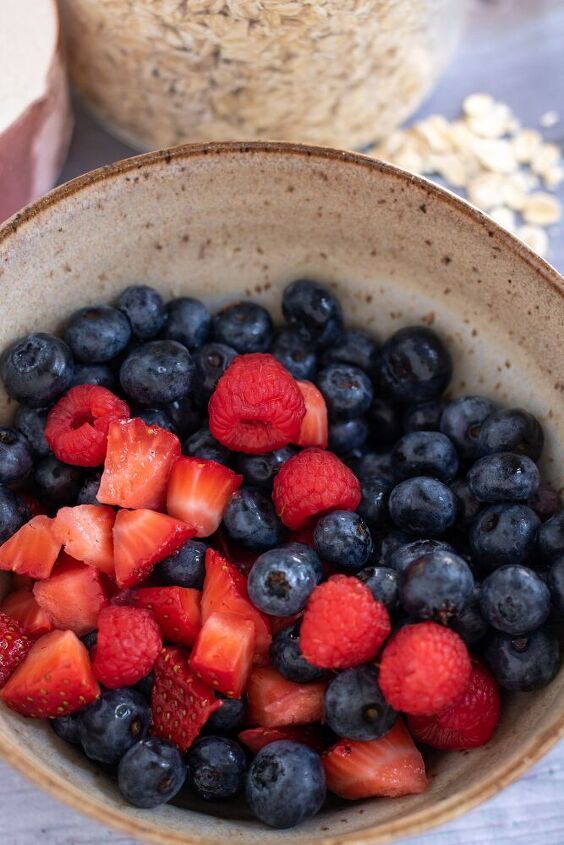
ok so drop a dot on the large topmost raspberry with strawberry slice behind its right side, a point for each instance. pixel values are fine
(257, 406)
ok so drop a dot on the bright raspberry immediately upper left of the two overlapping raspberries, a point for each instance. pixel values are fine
(343, 624)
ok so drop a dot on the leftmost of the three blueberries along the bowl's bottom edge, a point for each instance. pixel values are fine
(151, 773)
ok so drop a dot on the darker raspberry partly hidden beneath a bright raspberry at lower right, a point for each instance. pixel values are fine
(469, 722)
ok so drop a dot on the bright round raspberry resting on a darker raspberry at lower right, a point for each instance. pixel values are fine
(424, 668)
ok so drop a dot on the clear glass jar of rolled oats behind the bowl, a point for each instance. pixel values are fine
(337, 72)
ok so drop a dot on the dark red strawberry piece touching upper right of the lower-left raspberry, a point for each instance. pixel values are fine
(176, 609)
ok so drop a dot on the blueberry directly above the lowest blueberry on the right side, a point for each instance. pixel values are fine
(514, 600)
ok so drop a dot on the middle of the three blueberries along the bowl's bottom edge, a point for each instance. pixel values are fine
(216, 767)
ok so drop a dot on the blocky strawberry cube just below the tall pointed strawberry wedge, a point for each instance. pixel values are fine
(223, 654)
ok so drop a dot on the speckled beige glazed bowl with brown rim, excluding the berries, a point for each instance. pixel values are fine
(229, 221)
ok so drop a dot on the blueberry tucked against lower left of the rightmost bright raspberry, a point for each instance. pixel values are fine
(355, 707)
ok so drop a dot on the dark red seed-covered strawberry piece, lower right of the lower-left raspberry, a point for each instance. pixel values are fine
(180, 703)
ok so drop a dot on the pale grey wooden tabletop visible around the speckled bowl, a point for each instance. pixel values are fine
(513, 49)
